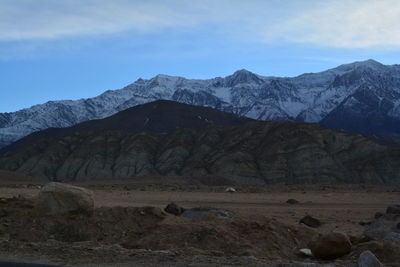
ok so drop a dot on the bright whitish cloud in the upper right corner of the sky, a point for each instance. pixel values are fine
(343, 24)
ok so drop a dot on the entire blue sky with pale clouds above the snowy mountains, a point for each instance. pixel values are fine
(72, 49)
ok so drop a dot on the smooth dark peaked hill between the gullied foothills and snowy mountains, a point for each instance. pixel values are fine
(159, 116)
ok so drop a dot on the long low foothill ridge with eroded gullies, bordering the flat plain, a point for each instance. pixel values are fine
(255, 153)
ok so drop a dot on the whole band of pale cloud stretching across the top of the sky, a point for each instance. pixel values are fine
(330, 23)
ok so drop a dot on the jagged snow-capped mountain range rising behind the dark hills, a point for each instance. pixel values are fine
(361, 96)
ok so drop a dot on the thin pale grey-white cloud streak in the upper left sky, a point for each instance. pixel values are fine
(46, 19)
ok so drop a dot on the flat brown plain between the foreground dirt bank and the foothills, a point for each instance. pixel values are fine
(339, 210)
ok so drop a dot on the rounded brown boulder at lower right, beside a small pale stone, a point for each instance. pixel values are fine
(330, 246)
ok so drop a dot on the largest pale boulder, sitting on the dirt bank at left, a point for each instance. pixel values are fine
(61, 199)
